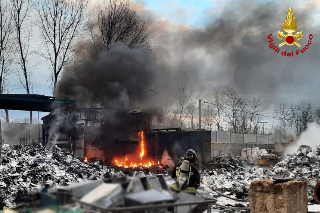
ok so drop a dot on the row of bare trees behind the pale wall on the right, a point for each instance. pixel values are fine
(227, 110)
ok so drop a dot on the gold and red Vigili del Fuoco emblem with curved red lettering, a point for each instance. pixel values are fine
(289, 26)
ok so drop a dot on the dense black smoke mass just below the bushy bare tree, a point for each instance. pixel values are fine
(120, 78)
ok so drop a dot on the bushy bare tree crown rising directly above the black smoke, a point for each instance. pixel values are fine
(119, 23)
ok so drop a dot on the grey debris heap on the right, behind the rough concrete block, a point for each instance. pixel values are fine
(235, 180)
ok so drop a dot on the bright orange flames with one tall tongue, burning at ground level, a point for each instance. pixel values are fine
(127, 163)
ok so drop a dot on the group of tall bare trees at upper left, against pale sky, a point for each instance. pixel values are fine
(60, 23)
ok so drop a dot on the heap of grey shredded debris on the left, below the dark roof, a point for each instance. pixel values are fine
(25, 170)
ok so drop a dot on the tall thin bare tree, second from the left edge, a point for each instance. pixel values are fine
(20, 10)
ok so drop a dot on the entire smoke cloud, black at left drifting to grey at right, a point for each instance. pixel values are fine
(232, 50)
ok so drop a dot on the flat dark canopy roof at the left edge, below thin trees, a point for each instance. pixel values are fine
(33, 102)
